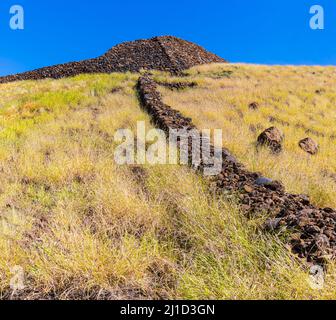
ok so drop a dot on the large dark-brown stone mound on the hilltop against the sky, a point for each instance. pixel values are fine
(160, 53)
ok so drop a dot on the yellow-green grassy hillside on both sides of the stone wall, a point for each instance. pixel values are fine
(82, 227)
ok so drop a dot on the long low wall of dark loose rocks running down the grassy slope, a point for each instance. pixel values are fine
(312, 229)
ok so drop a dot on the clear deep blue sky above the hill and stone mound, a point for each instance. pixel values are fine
(258, 31)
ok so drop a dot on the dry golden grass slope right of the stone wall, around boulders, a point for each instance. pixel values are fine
(299, 98)
